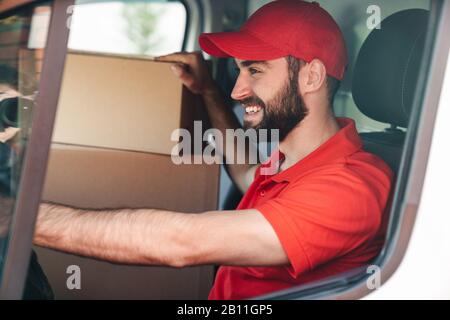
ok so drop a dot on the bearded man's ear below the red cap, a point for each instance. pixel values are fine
(312, 76)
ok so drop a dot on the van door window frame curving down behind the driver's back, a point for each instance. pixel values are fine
(411, 176)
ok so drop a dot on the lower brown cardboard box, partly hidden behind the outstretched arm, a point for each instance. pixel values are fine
(95, 178)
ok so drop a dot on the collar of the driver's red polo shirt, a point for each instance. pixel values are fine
(344, 143)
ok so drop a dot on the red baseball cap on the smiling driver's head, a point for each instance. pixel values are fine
(281, 28)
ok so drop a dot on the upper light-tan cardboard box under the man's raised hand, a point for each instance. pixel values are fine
(123, 103)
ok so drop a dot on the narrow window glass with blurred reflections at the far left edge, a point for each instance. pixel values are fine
(22, 42)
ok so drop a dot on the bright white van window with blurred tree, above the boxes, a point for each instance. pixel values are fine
(127, 27)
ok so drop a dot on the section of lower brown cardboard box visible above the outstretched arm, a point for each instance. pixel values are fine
(99, 178)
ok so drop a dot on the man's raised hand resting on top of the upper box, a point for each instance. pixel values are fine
(192, 70)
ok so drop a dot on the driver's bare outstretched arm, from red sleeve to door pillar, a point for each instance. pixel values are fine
(156, 237)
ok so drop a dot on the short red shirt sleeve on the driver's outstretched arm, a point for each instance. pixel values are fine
(323, 217)
